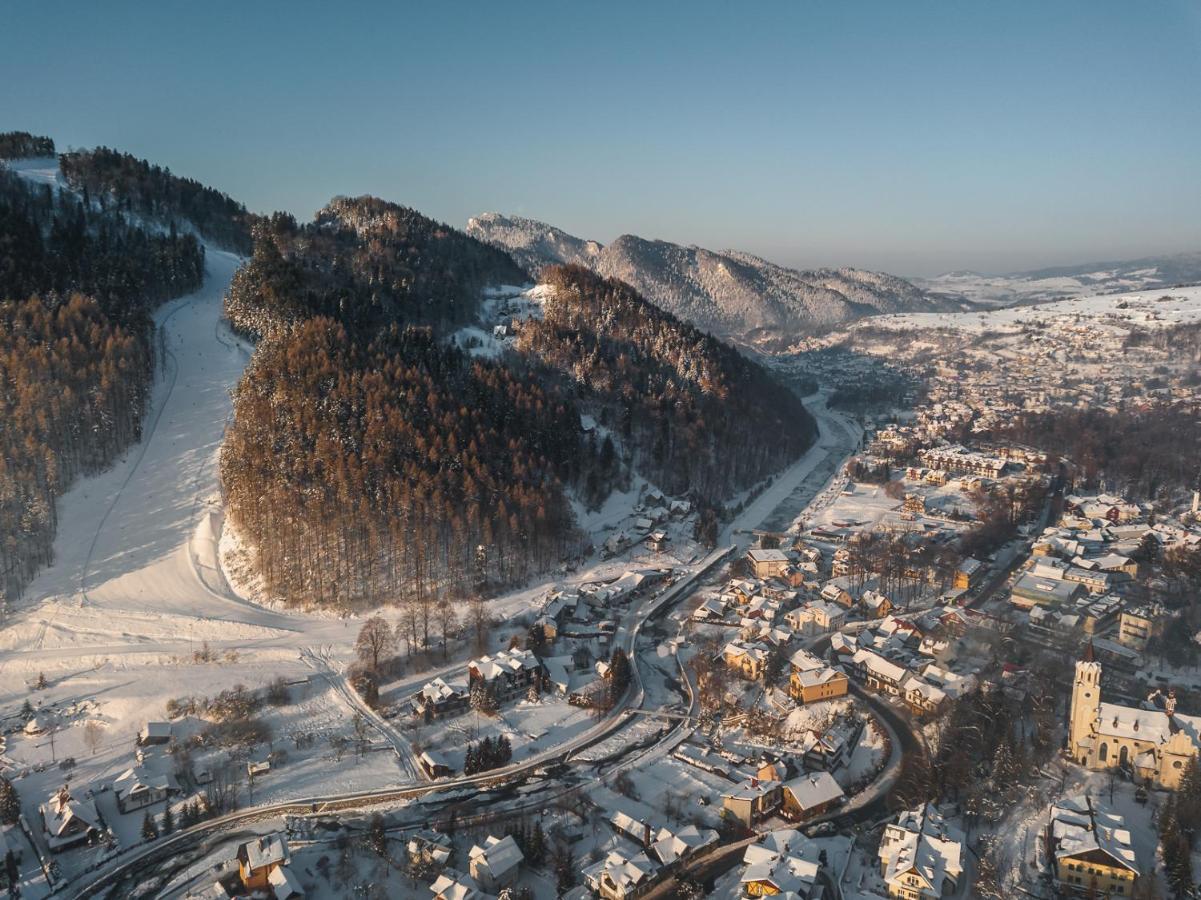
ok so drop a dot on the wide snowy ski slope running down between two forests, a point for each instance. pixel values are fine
(135, 557)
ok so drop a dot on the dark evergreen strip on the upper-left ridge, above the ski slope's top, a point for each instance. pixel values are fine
(139, 188)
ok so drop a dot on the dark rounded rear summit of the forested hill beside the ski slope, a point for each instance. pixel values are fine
(366, 264)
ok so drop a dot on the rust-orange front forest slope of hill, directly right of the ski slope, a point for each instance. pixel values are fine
(360, 469)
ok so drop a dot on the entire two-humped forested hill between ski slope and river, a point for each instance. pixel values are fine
(369, 457)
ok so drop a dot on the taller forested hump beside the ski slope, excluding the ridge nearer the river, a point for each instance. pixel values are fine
(368, 456)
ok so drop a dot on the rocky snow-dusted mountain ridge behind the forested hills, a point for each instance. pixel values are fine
(731, 294)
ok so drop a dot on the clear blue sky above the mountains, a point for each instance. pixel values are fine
(907, 136)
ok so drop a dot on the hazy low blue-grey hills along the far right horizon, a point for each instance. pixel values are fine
(1062, 283)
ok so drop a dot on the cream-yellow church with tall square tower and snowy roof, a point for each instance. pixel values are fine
(1154, 744)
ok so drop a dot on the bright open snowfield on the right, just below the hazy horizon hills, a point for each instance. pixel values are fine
(1145, 308)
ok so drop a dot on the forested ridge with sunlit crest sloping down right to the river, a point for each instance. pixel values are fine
(688, 412)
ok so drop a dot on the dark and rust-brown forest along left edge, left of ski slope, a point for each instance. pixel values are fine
(77, 284)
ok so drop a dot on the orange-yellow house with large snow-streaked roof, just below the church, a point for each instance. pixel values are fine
(1091, 850)
